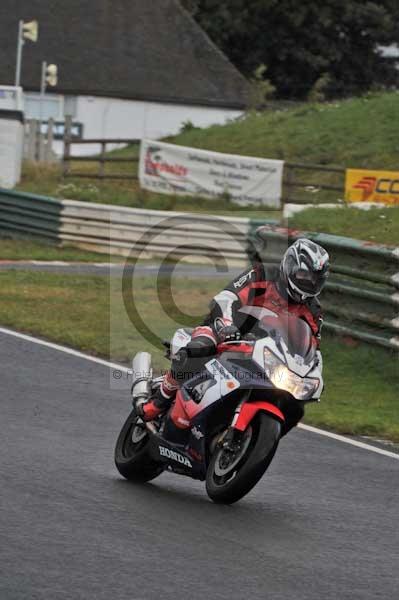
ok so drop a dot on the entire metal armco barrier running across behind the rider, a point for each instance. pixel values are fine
(361, 298)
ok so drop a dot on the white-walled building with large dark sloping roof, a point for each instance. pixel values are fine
(126, 69)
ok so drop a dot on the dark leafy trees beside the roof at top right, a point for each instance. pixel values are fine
(302, 42)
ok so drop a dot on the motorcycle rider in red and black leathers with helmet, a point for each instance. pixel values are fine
(291, 288)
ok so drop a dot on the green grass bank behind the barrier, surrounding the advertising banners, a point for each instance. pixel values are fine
(359, 133)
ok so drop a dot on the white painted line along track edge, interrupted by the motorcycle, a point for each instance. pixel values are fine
(100, 361)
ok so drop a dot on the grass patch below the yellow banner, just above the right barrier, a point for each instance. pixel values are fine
(377, 224)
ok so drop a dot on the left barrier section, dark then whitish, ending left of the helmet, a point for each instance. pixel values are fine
(116, 230)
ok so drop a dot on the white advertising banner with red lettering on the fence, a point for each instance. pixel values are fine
(171, 169)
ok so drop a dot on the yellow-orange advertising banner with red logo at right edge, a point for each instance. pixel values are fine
(372, 186)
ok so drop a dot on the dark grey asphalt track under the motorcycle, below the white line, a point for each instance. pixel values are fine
(322, 524)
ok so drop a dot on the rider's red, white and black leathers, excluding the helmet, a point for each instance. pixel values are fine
(254, 287)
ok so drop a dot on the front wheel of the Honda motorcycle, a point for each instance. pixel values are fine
(234, 471)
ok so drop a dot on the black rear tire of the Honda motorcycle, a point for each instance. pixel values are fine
(132, 456)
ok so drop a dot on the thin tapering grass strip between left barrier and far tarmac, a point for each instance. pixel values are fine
(26, 249)
